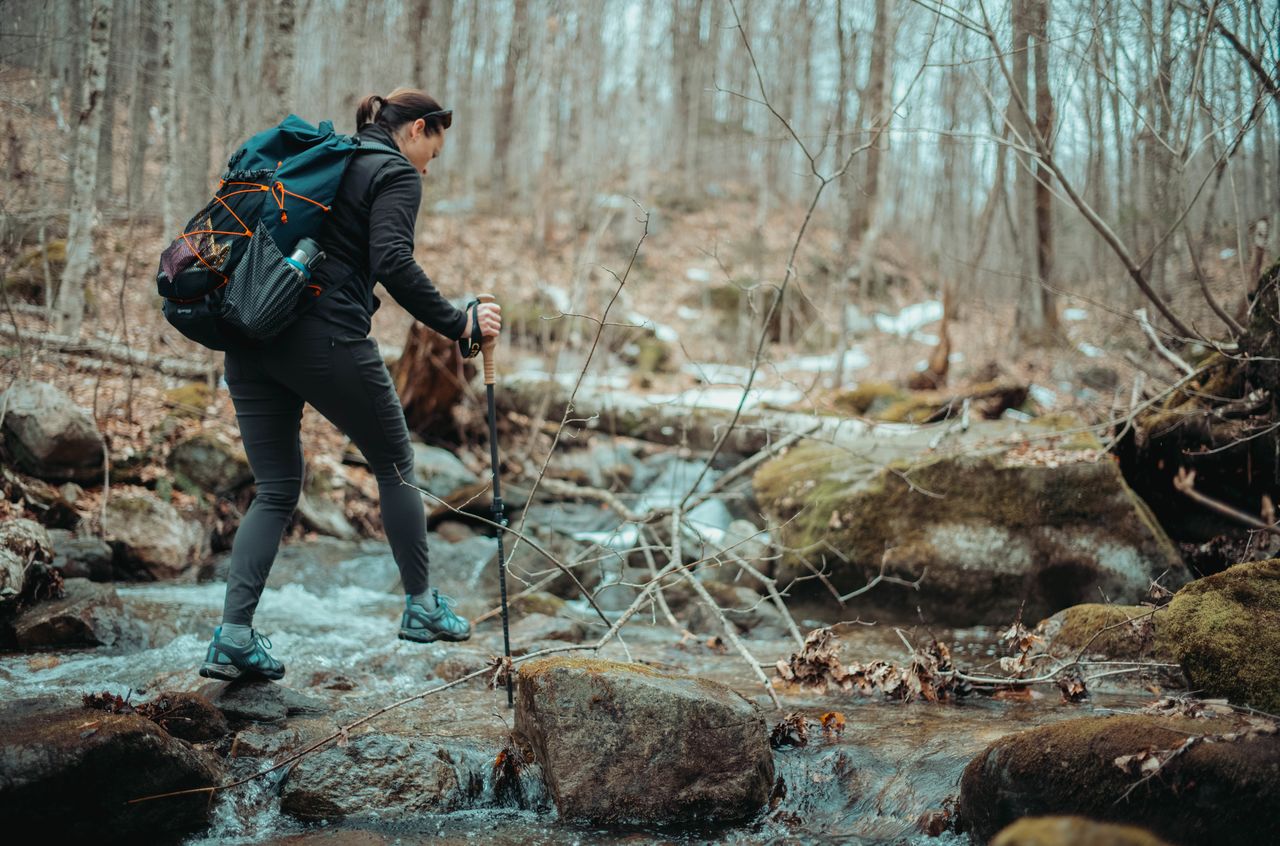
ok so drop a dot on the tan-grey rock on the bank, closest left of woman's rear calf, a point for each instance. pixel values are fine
(150, 537)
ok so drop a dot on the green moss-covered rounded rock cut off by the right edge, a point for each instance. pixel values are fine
(1226, 632)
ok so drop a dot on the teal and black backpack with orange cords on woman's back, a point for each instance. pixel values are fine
(240, 271)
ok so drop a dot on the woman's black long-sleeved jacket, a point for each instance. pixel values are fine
(369, 239)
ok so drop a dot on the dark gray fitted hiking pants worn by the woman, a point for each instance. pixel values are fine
(346, 381)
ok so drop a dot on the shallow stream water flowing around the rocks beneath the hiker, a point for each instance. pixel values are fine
(332, 607)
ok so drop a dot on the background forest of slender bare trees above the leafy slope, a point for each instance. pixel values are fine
(1160, 117)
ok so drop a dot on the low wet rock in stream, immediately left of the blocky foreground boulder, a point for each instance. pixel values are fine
(397, 776)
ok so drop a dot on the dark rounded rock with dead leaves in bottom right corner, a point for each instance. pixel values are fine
(1222, 793)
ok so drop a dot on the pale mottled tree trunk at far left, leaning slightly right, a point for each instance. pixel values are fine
(89, 125)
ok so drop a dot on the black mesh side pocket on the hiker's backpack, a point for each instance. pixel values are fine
(262, 298)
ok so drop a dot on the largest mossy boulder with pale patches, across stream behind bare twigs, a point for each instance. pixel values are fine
(995, 525)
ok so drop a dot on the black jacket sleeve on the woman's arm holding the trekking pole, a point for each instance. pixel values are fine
(394, 212)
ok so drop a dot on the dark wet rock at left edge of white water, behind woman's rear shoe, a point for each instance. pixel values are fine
(89, 615)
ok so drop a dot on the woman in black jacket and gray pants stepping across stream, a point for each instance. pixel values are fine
(328, 360)
